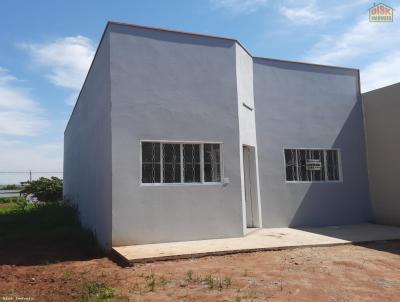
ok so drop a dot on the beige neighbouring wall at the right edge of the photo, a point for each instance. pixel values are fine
(382, 110)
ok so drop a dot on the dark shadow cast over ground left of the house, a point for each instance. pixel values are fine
(35, 235)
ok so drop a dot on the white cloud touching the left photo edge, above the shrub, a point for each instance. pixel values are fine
(19, 113)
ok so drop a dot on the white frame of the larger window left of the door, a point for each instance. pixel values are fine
(181, 143)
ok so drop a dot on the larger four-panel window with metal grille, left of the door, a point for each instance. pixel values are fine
(173, 162)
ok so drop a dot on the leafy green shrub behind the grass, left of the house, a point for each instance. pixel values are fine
(44, 189)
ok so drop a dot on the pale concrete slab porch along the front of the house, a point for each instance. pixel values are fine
(260, 240)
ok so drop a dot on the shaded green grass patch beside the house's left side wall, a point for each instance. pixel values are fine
(46, 224)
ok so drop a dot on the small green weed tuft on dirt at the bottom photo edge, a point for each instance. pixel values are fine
(96, 291)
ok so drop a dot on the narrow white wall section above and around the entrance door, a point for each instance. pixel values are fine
(247, 123)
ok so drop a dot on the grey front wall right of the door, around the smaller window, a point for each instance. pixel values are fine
(309, 106)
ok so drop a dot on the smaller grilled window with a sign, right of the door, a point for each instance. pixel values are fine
(309, 165)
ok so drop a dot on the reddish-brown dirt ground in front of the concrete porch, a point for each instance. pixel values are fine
(370, 272)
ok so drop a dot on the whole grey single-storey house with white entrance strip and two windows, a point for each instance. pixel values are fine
(178, 136)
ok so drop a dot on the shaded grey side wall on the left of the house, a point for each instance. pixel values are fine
(87, 149)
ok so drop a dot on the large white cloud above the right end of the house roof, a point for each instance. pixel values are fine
(372, 47)
